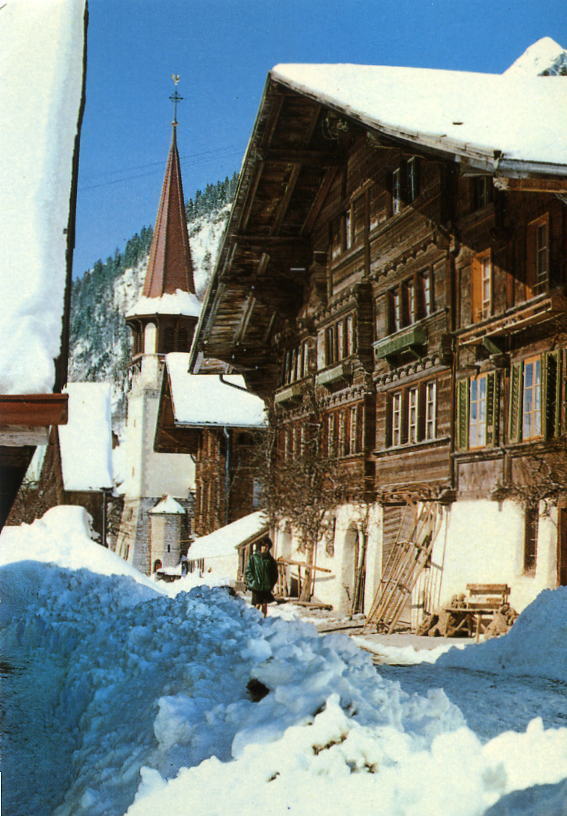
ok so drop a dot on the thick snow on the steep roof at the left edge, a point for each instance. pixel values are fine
(41, 71)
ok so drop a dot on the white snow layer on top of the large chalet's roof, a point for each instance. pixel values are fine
(465, 113)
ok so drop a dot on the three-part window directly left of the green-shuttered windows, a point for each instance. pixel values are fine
(412, 414)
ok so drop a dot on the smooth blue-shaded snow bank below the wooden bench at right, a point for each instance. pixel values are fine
(536, 644)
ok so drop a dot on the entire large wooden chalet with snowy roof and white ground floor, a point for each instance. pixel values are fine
(396, 252)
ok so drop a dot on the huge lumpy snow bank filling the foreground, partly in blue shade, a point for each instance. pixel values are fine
(122, 700)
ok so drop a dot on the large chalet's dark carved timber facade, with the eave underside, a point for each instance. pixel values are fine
(418, 295)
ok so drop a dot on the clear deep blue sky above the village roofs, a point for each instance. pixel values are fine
(223, 50)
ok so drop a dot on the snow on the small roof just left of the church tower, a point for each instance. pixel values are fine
(86, 440)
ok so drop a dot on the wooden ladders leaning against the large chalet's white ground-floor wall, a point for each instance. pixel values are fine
(402, 569)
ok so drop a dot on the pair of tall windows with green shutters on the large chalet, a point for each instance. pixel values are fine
(534, 407)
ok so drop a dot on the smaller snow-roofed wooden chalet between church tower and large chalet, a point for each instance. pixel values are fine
(215, 419)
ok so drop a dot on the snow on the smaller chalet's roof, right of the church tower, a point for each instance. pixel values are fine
(205, 399)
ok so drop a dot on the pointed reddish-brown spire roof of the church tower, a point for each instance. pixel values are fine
(170, 266)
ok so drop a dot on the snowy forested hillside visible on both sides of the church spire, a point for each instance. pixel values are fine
(100, 342)
